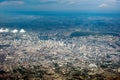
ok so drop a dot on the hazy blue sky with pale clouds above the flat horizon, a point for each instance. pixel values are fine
(102, 6)
